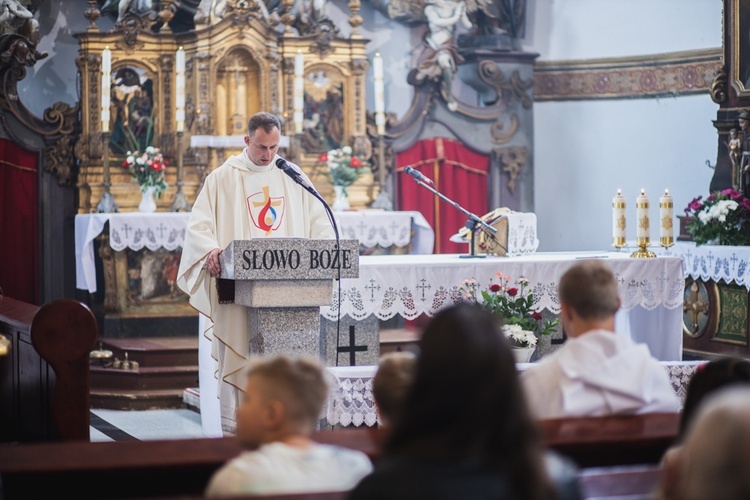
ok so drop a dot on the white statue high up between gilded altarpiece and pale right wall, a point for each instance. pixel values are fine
(440, 59)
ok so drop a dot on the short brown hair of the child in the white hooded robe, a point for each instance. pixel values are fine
(590, 289)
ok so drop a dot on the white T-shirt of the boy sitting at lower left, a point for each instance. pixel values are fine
(281, 468)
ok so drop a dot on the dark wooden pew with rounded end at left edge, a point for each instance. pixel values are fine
(44, 378)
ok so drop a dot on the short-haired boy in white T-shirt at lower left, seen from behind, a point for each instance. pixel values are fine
(283, 400)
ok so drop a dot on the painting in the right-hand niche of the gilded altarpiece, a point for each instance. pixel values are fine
(323, 126)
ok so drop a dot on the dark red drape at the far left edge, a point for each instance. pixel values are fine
(19, 252)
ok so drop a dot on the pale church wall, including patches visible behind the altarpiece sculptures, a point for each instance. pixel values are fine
(584, 150)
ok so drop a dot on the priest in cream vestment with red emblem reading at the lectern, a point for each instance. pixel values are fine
(246, 197)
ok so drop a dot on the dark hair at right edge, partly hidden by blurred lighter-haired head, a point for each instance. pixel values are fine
(715, 374)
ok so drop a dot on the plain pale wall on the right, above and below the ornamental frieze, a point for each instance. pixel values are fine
(585, 150)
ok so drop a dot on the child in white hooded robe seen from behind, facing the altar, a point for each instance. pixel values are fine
(596, 372)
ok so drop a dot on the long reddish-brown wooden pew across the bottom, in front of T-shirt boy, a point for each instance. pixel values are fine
(139, 469)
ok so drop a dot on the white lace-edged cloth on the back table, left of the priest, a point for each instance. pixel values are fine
(134, 230)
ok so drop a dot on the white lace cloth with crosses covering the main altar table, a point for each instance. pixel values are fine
(410, 285)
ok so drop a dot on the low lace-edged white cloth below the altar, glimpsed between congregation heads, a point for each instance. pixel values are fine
(351, 402)
